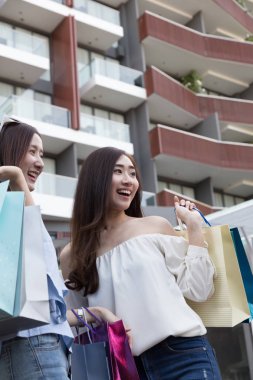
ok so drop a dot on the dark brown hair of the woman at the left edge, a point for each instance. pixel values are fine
(15, 138)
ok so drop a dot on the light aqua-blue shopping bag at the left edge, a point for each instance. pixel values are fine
(11, 247)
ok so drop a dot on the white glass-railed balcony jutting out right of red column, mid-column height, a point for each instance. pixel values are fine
(111, 85)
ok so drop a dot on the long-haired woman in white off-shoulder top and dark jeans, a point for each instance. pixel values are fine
(136, 267)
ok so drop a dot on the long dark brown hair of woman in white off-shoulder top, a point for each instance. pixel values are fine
(89, 212)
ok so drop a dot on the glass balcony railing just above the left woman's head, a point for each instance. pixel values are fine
(20, 106)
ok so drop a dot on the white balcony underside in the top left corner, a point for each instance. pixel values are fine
(42, 15)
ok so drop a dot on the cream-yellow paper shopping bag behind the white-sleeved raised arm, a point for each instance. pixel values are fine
(228, 305)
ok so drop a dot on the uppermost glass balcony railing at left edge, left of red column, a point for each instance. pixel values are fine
(24, 40)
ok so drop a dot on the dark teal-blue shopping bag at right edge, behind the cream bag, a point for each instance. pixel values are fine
(245, 269)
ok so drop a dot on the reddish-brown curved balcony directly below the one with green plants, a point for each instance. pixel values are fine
(191, 158)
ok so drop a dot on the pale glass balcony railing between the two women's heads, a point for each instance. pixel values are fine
(57, 185)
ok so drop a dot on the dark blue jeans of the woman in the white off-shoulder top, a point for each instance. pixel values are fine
(178, 358)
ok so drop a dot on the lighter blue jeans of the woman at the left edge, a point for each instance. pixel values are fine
(41, 357)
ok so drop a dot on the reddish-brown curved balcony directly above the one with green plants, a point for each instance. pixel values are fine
(225, 65)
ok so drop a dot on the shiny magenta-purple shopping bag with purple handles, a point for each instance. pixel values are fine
(121, 362)
